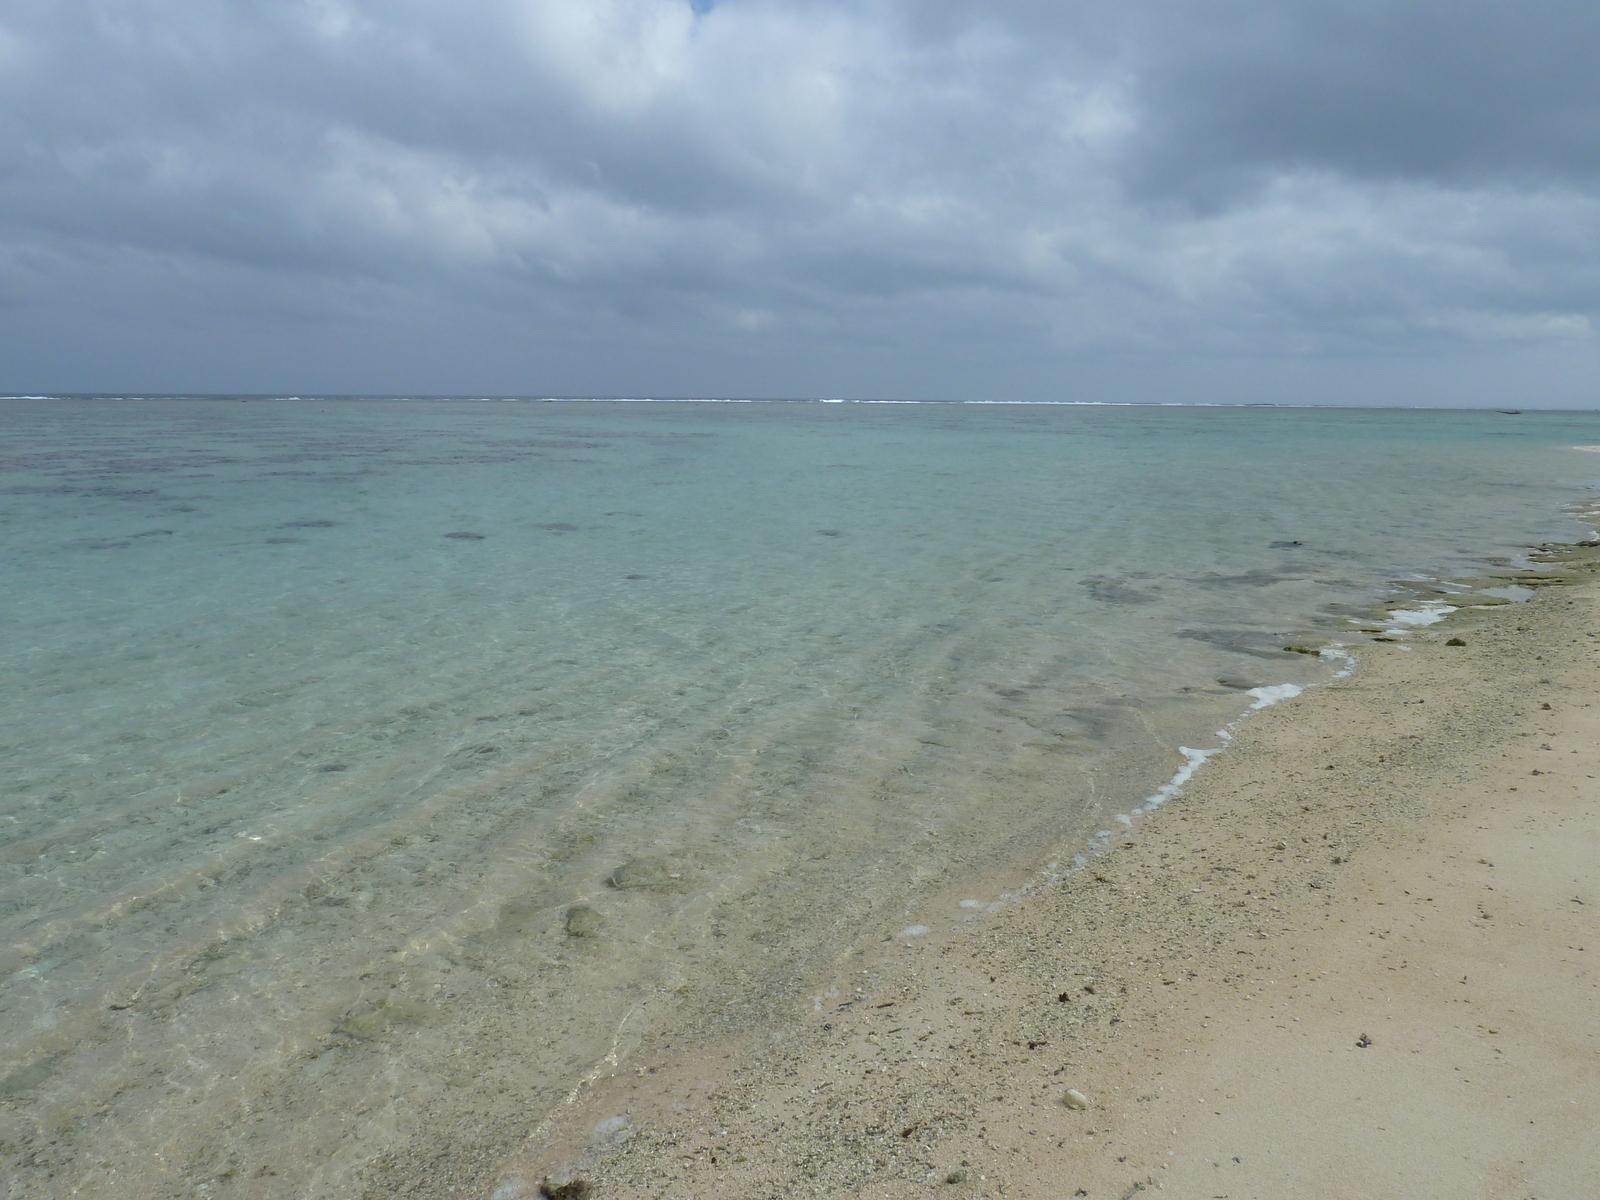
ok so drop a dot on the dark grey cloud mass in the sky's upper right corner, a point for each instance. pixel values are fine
(1466, 94)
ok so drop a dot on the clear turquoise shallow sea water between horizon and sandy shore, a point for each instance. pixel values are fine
(375, 770)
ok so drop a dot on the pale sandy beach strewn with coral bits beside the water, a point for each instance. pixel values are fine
(1354, 959)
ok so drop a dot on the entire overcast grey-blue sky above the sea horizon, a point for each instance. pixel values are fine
(1383, 202)
